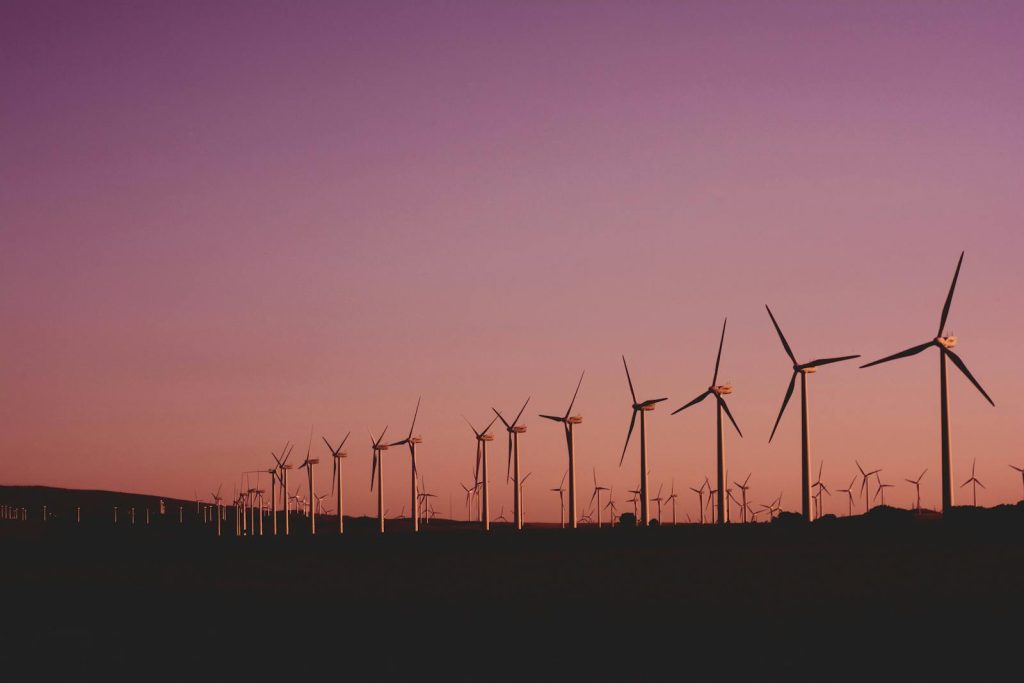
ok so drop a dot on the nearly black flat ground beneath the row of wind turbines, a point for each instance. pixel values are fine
(888, 583)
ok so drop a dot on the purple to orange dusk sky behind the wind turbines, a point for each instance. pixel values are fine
(223, 224)
